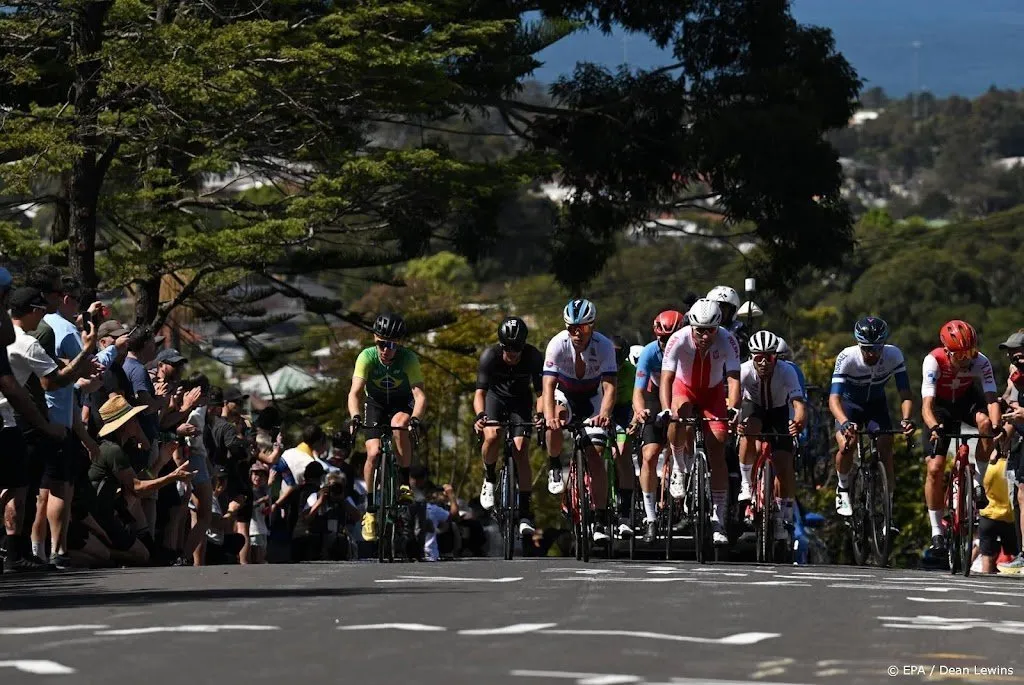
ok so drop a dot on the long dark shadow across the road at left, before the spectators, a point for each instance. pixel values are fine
(60, 593)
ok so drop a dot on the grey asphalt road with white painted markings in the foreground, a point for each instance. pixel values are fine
(545, 622)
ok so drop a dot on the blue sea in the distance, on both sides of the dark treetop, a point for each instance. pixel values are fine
(965, 47)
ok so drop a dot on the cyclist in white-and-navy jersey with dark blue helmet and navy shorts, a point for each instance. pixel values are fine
(858, 399)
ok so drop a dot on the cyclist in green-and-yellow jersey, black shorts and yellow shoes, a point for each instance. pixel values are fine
(388, 384)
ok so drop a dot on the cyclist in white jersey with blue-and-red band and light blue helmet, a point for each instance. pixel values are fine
(581, 364)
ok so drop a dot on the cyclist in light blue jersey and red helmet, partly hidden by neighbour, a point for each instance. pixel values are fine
(646, 404)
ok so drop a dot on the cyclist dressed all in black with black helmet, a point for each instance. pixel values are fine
(508, 386)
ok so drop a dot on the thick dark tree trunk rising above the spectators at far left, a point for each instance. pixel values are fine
(87, 176)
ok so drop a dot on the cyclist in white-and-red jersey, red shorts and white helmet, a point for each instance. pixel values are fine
(701, 361)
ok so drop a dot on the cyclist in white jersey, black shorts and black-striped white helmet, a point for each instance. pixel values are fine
(771, 390)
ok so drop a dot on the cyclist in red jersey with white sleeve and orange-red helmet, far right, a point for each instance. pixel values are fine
(958, 387)
